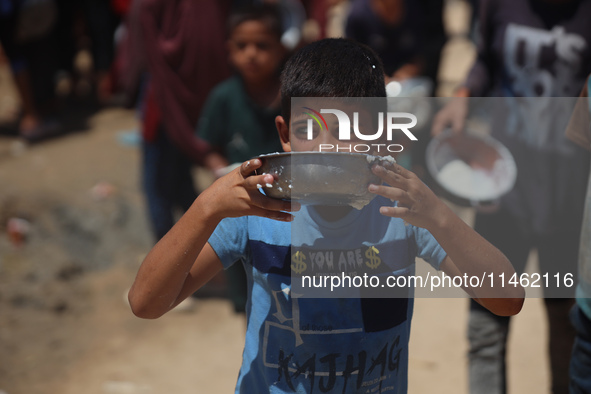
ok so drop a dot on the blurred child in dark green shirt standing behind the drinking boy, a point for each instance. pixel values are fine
(238, 119)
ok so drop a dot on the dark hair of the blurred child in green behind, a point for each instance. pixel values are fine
(267, 14)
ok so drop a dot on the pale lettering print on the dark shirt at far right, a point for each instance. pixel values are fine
(541, 65)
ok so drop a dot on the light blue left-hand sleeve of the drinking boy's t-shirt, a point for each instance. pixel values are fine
(230, 239)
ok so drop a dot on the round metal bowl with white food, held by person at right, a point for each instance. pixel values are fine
(472, 170)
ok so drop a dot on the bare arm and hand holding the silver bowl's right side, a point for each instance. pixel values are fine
(467, 252)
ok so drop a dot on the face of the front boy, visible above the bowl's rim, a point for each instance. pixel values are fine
(294, 137)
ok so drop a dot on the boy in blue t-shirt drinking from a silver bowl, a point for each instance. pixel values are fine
(296, 344)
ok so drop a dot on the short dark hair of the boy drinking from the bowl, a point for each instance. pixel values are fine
(332, 67)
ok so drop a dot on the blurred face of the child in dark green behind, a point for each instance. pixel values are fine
(254, 51)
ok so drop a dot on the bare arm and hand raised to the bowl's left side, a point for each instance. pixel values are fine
(182, 261)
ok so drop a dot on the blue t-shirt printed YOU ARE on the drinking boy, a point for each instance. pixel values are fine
(298, 344)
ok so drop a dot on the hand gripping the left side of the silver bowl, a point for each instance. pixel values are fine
(237, 194)
